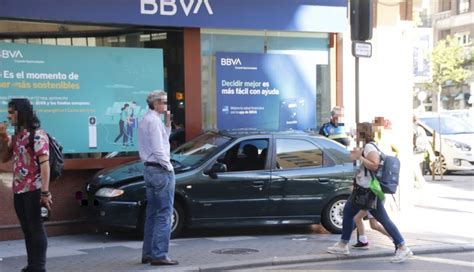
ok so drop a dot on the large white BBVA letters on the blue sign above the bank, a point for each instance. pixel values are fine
(170, 7)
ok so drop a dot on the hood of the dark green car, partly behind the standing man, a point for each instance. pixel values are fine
(126, 172)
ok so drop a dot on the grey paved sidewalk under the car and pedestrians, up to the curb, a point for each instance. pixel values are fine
(436, 224)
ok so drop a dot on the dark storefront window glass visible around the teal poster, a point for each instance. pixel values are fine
(170, 40)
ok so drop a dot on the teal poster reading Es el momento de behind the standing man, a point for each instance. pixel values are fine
(90, 104)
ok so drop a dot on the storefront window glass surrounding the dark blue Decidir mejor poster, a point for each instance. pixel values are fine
(310, 45)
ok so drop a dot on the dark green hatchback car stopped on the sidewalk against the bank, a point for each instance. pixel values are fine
(232, 180)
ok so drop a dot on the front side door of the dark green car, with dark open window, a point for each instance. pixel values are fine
(241, 191)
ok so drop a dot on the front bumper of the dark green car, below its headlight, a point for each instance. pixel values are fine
(110, 213)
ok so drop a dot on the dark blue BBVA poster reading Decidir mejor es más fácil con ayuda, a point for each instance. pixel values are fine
(265, 91)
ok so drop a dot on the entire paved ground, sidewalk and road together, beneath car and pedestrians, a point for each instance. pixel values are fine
(438, 230)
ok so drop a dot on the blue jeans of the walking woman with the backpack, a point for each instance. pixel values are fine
(380, 214)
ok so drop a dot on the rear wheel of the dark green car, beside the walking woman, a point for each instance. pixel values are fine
(333, 214)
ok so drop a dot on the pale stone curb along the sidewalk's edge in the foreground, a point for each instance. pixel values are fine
(277, 261)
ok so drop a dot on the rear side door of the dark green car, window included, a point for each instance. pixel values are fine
(303, 176)
